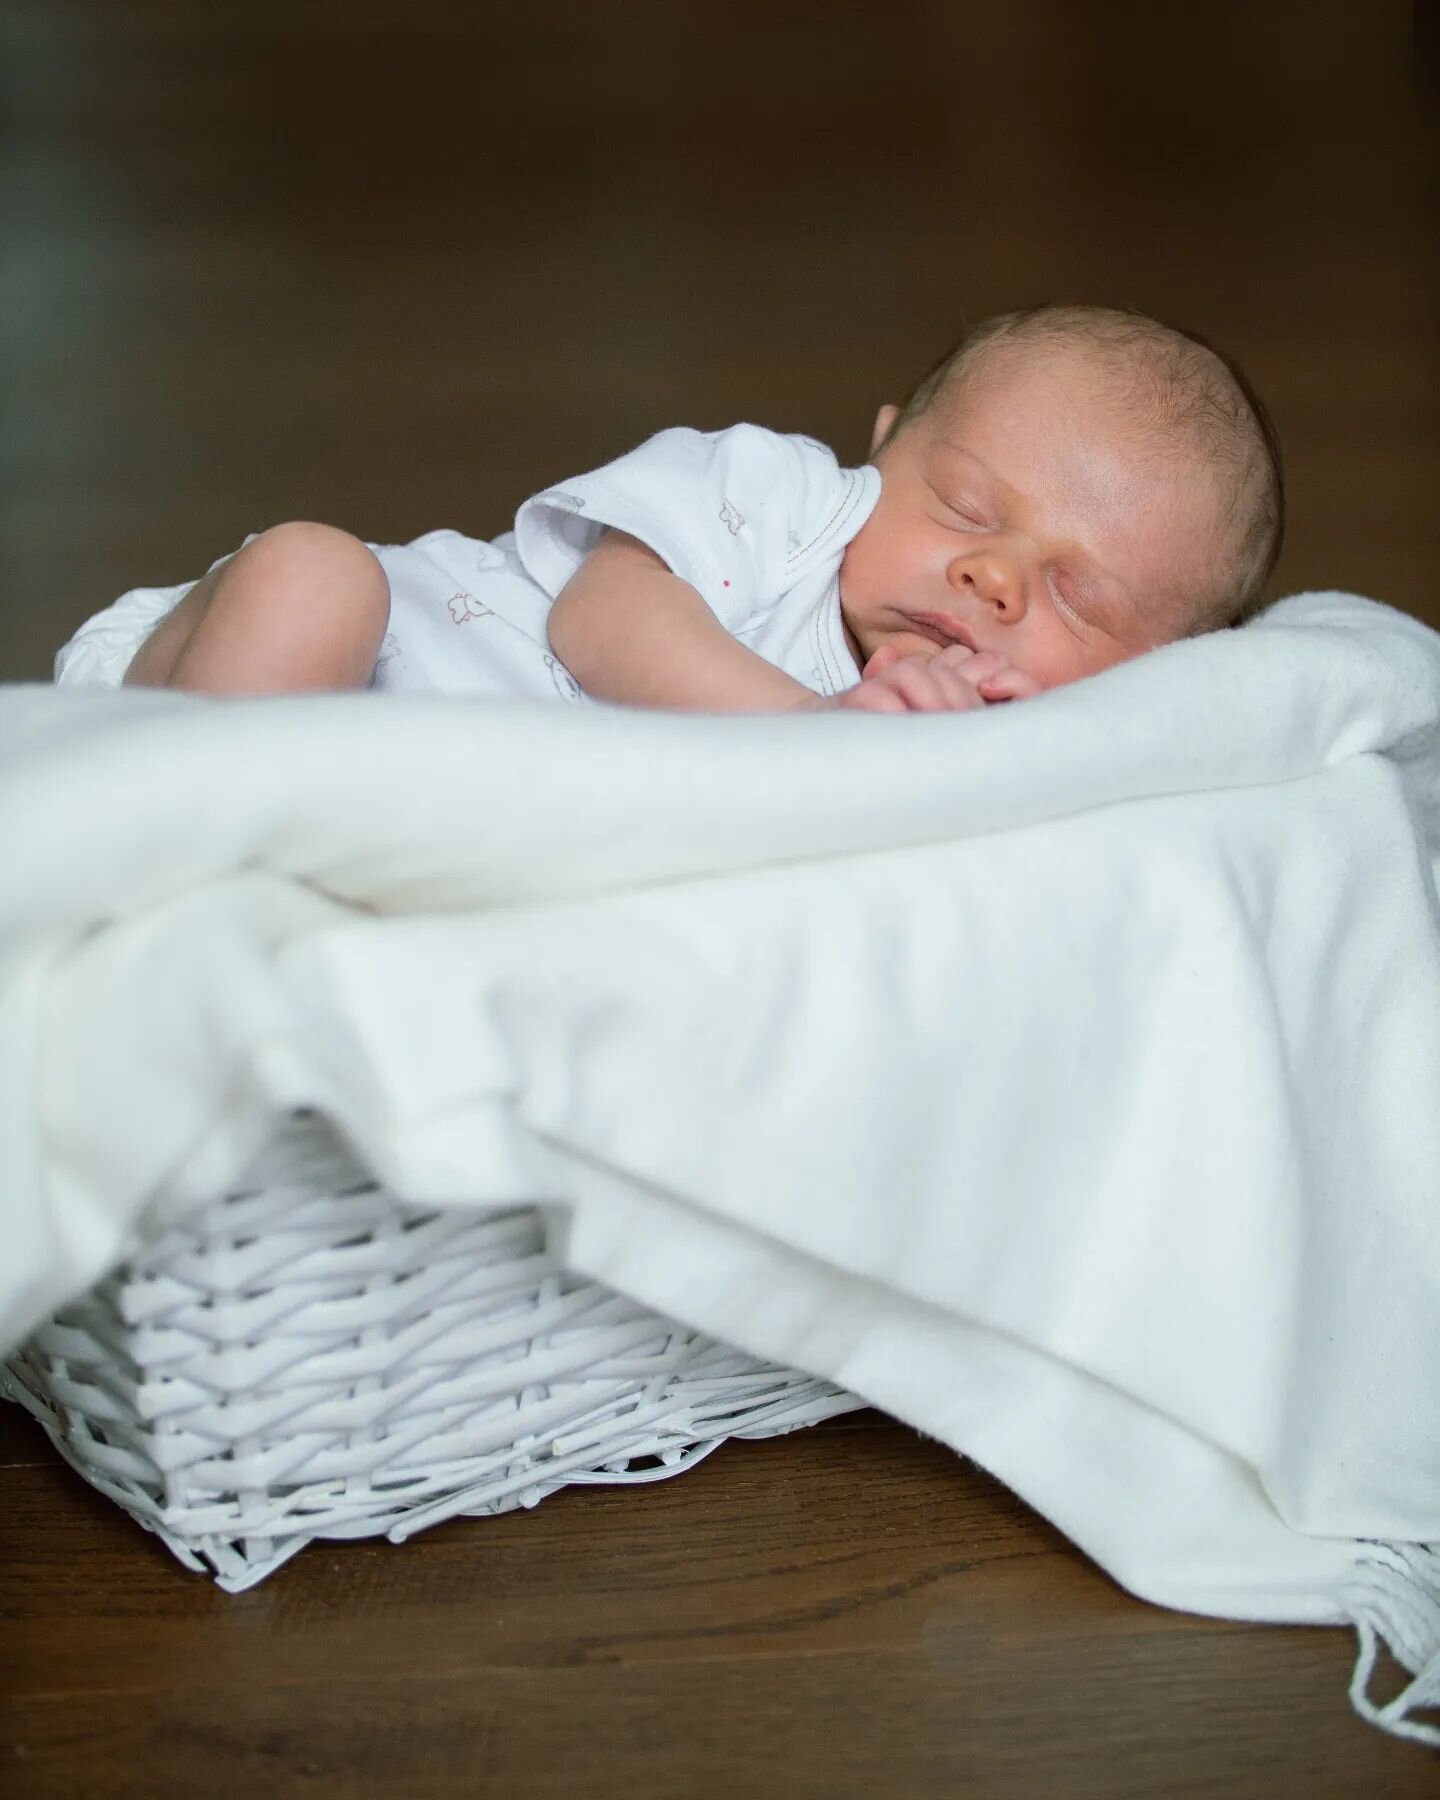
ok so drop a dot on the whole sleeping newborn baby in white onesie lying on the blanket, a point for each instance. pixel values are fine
(1068, 489)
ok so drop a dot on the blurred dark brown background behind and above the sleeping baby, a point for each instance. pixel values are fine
(397, 264)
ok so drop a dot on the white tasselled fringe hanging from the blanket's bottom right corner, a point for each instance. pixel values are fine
(1394, 1599)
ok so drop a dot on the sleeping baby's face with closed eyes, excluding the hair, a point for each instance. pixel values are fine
(1023, 516)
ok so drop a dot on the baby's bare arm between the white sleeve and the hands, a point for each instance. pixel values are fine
(631, 631)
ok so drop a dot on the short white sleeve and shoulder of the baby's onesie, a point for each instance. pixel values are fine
(739, 514)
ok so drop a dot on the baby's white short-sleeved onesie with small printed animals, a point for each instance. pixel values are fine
(755, 521)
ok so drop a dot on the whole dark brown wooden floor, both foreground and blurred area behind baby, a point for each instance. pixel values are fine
(395, 264)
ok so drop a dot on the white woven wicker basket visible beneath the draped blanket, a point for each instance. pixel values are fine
(310, 1358)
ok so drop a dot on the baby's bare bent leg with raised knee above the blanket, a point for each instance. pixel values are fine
(298, 607)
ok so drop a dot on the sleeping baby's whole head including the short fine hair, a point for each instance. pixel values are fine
(1070, 487)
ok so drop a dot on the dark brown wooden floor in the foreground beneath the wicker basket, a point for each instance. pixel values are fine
(843, 1614)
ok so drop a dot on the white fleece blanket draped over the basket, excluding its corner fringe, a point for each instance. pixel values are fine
(1063, 1079)
